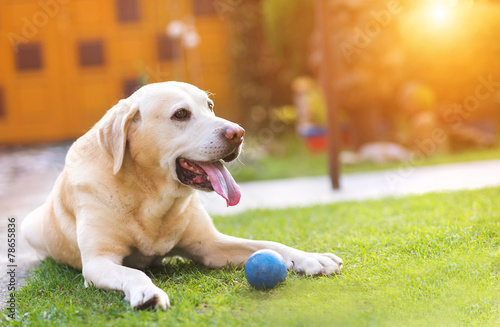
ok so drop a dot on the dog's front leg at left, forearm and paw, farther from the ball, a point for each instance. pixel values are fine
(108, 273)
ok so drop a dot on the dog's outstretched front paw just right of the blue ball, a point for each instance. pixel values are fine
(317, 264)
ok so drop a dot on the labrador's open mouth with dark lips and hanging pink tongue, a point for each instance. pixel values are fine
(209, 176)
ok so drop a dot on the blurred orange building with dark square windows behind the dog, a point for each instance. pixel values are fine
(63, 63)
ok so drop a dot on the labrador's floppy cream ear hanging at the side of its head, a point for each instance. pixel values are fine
(113, 128)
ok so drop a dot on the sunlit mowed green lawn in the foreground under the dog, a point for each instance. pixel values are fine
(431, 260)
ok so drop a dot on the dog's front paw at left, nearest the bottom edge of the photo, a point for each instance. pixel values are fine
(145, 297)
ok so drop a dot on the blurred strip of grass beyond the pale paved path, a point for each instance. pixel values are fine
(288, 157)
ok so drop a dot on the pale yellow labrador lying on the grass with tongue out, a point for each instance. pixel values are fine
(127, 196)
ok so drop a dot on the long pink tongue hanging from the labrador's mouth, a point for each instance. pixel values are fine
(222, 182)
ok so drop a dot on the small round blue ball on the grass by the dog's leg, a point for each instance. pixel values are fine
(265, 269)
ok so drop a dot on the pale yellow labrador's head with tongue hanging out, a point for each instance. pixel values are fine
(171, 127)
